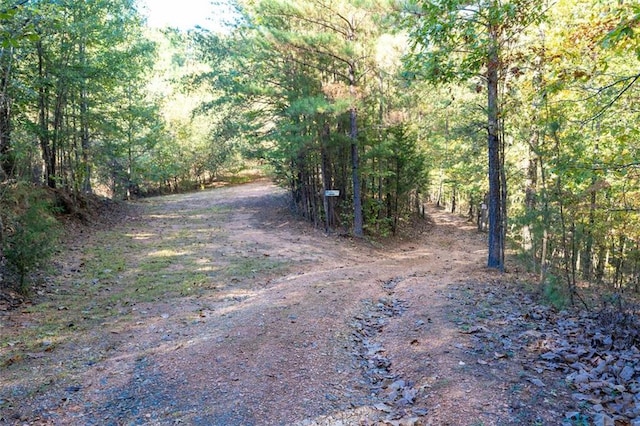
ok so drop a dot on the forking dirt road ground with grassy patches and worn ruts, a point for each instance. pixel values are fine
(220, 308)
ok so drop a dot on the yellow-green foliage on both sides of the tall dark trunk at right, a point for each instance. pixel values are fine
(567, 124)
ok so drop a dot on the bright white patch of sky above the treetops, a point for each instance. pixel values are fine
(184, 14)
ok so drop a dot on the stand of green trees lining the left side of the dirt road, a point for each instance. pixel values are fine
(96, 101)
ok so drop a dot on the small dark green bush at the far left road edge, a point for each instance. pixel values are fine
(29, 232)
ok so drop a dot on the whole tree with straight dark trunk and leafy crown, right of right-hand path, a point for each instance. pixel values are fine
(457, 40)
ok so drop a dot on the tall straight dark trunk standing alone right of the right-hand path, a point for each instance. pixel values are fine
(496, 221)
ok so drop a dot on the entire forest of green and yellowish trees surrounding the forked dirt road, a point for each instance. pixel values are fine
(520, 115)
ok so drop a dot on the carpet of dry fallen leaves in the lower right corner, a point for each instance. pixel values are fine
(595, 352)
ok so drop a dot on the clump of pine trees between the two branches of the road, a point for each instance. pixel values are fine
(313, 89)
